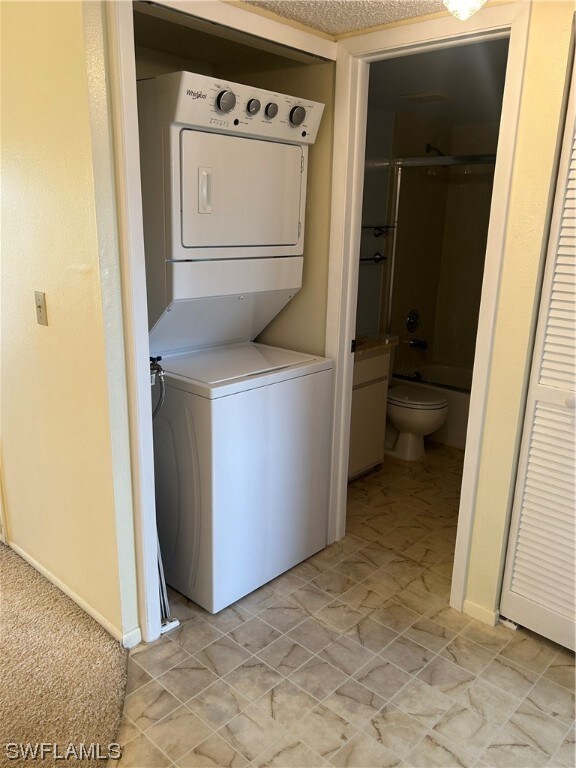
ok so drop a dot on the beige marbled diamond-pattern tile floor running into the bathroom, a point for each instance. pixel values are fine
(353, 658)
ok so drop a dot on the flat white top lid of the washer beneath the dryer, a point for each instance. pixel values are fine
(217, 365)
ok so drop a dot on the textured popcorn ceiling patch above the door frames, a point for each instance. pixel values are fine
(338, 17)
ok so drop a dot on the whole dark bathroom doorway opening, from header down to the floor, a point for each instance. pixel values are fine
(431, 139)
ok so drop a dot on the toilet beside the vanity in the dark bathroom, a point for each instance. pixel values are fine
(412, 413)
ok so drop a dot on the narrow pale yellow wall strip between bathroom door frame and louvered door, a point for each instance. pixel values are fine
(533, 180)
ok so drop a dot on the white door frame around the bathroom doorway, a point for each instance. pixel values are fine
(354, 56)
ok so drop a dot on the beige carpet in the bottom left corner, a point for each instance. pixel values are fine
(62, 676)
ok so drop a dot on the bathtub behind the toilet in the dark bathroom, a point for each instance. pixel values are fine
(453, 383)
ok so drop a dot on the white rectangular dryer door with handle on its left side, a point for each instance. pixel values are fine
(238, 193)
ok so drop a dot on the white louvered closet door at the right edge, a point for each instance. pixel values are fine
(539, 580)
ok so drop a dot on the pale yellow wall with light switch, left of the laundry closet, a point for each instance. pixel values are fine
(58, 446)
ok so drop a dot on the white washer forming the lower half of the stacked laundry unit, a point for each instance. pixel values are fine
(242, 446)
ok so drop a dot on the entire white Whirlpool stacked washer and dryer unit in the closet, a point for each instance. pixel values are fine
(242, 442)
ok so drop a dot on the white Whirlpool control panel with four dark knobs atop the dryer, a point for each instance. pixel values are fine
(216, 105)
